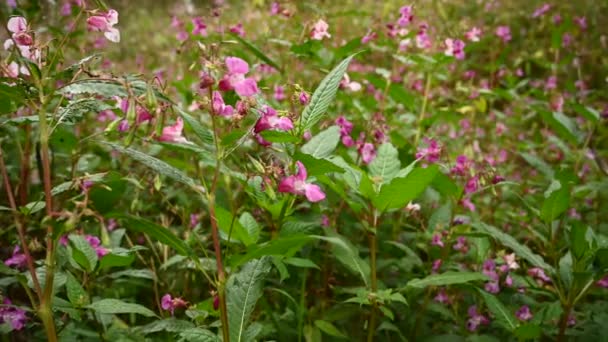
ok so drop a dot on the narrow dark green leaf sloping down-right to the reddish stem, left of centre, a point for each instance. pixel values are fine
(157, 232)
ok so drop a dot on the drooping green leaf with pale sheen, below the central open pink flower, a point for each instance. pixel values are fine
(347, 254)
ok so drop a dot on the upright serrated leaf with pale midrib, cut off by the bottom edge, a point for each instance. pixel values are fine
(243, 290)
